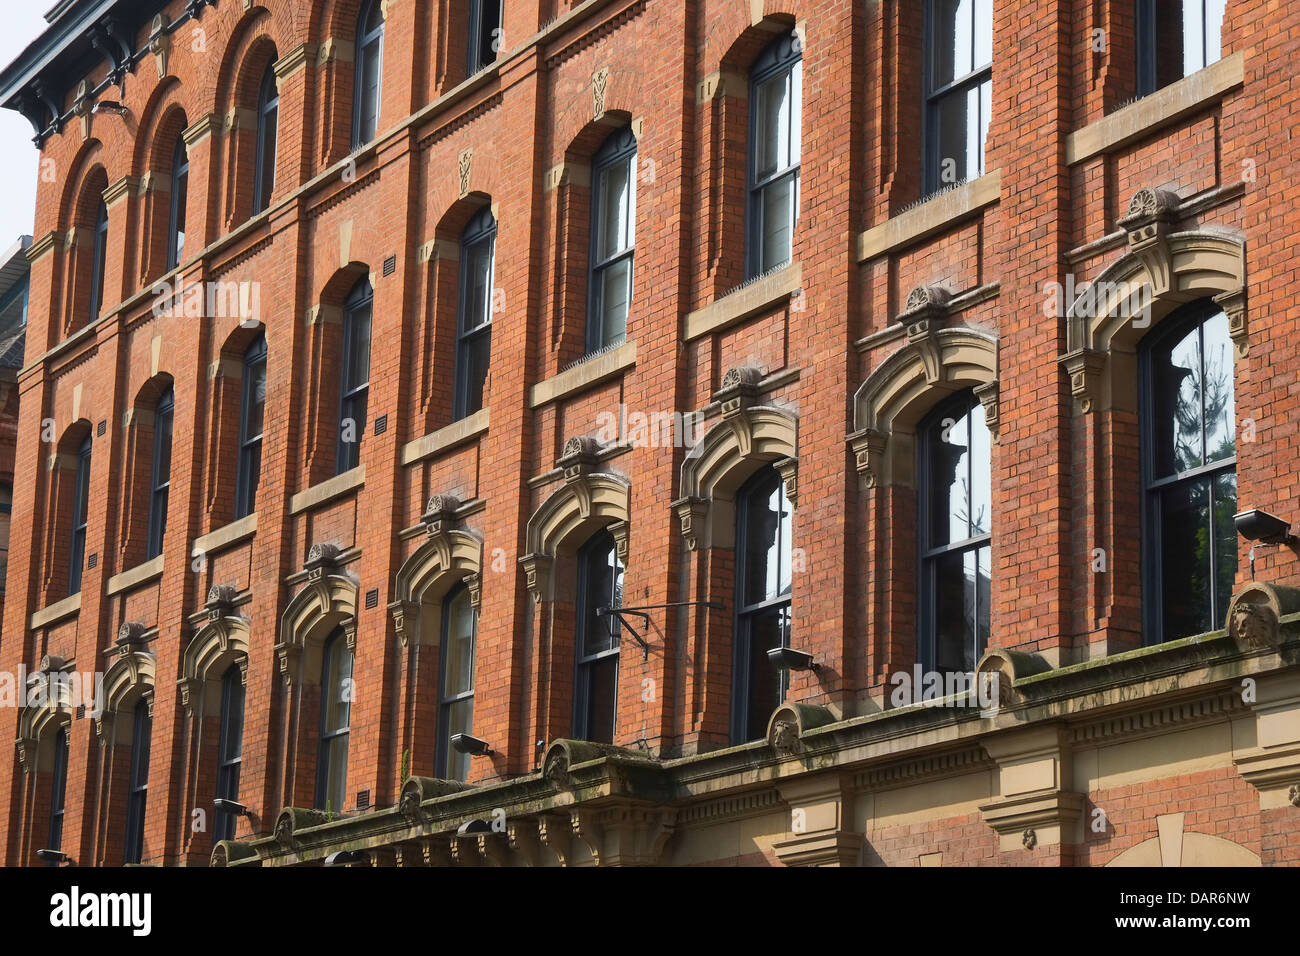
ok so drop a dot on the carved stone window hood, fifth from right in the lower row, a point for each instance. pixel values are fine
(449, 556)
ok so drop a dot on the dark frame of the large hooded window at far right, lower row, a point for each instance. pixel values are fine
(1194, 315)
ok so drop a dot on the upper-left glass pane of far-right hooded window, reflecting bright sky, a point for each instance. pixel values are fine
(1177, 406)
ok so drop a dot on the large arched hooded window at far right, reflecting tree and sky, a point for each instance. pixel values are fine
(1189, 473)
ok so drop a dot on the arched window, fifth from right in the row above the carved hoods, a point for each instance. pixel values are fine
(474, 327)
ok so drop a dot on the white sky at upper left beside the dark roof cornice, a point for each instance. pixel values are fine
(23, 24)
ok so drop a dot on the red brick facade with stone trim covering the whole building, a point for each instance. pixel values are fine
(822, 369)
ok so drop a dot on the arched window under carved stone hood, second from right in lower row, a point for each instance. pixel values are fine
(955, 524)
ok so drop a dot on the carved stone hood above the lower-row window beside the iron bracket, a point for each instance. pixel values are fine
(590, 500)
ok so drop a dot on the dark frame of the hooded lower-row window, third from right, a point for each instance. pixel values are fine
(751, 495)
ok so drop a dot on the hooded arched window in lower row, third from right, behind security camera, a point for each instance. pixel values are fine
(764, 586)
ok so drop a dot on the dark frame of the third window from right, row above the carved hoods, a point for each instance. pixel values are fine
(785, 57)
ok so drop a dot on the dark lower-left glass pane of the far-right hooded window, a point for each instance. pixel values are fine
(1185, 559)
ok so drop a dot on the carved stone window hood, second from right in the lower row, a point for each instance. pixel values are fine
(937, 361)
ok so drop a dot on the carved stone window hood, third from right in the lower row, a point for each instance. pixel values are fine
(749, 436)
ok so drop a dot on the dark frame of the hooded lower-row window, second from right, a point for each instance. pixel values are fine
(956, 408)
